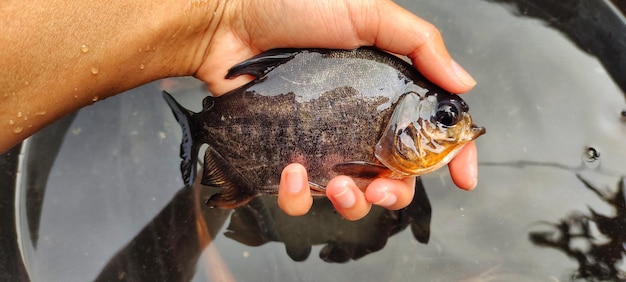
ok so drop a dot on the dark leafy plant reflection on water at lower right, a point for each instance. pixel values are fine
(604, 235)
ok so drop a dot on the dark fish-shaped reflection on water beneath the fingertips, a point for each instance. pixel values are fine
(261, 221)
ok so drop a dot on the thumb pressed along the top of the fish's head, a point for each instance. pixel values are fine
(399, 31)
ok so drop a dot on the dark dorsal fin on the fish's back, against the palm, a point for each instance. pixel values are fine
(262, 63)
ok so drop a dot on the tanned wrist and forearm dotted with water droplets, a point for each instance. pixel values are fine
(61, 55)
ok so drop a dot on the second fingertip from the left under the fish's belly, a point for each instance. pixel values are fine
(348, 200)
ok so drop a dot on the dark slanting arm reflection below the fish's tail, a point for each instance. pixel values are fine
(168, 248)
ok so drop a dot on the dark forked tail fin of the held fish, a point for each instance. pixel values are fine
(188, 147)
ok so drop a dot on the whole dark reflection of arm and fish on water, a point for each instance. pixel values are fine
(169, 247)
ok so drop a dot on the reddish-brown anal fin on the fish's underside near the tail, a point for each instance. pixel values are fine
(218, 172)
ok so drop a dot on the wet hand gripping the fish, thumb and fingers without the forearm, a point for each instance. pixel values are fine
(247, 28)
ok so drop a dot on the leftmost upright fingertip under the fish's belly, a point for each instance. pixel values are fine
(294, 195)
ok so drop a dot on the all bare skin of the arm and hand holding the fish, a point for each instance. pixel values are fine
(59, 56)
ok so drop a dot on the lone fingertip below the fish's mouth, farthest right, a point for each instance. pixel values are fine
(464, 167)
